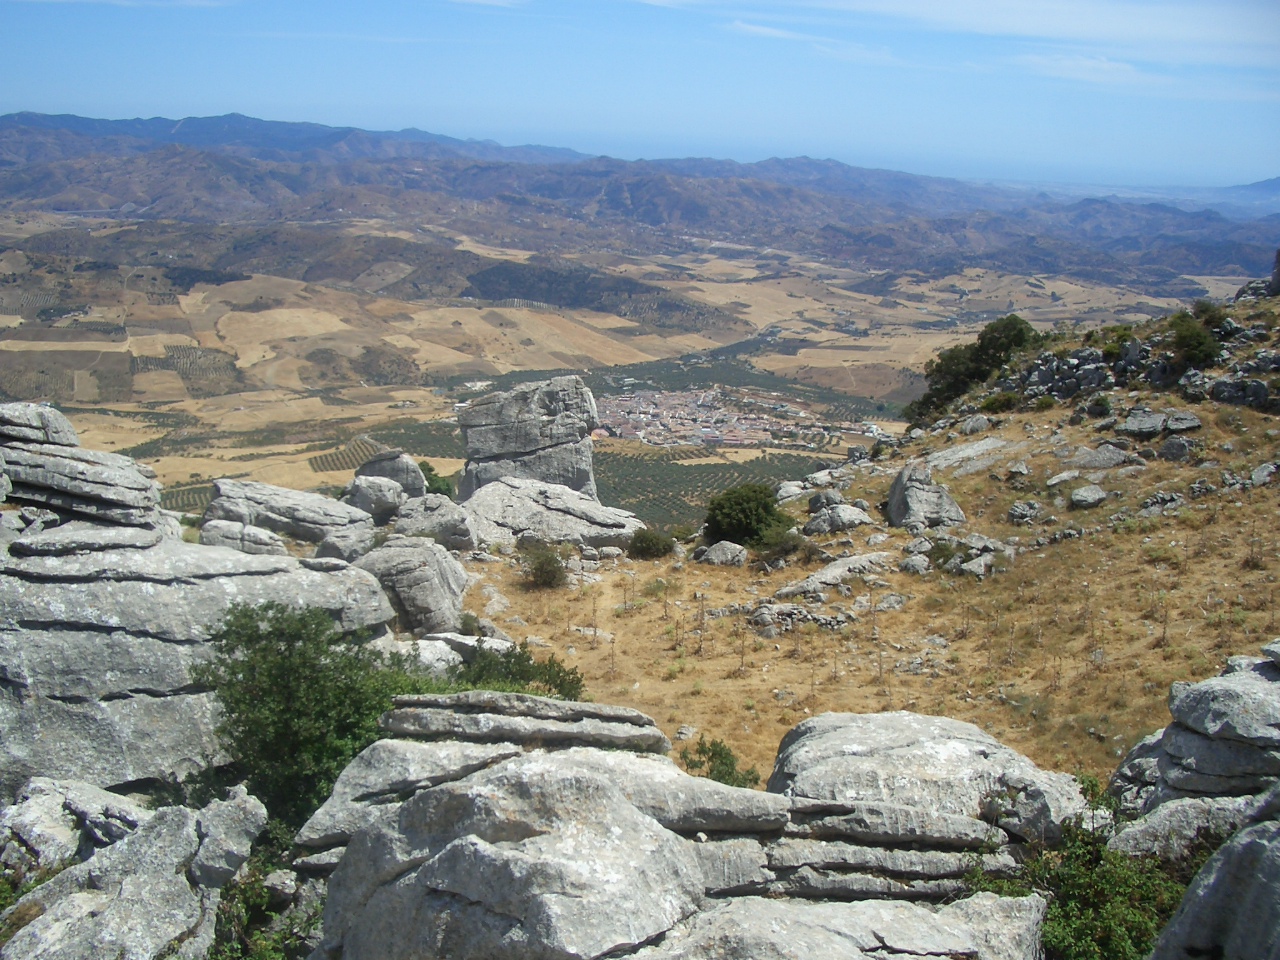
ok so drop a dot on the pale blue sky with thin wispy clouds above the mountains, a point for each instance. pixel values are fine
(1087, 92)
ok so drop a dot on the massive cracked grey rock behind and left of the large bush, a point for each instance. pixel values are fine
(99, 630)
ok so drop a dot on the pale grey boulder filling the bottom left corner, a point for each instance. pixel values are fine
(153, 894)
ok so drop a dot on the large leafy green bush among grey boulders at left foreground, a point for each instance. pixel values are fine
(299, 702)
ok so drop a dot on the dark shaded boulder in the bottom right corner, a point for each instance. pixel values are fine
(1232, 908)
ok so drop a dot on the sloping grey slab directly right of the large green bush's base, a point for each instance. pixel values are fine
(388, 772)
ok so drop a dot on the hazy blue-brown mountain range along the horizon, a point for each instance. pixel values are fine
(554, 200)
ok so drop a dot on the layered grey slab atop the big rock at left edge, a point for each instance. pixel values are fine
(103, 487)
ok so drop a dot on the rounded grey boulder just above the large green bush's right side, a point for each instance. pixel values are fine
(424, 582)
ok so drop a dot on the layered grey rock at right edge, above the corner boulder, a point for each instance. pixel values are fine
(1224, 740)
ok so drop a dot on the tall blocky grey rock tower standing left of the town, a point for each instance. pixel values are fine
(536, 432)
